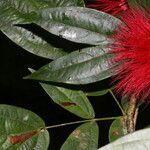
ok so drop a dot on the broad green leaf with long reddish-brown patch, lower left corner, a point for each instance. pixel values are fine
(21, 129)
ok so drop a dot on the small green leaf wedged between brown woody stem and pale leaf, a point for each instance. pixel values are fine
(116, 130)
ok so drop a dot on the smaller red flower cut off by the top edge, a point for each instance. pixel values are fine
(112, 7)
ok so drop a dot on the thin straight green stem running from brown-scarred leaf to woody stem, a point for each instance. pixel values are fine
(82, 121)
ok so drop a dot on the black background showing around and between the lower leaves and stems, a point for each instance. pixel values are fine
(28, 94)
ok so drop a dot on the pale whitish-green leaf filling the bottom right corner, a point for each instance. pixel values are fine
(139, 140)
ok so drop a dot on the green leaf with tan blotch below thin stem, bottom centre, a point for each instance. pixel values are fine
(85, 137)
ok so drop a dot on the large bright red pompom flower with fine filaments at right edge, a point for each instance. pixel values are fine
(132, 50)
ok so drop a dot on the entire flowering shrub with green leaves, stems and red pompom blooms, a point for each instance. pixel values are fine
(110, 42)
